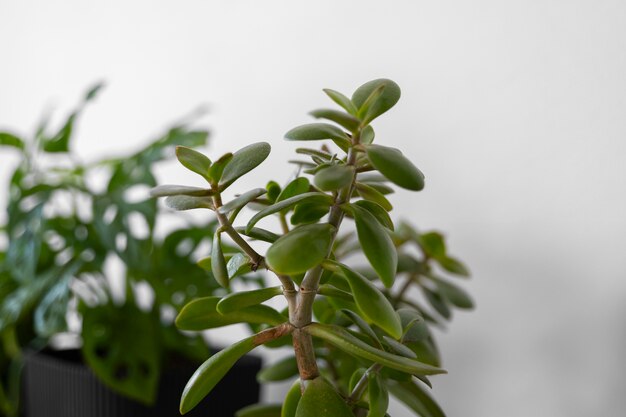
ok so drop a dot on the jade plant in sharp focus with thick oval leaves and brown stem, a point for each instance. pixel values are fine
(358, 333)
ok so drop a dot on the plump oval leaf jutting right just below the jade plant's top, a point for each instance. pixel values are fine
(395, 167)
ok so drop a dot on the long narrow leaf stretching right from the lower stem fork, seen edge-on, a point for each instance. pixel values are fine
(341, 338)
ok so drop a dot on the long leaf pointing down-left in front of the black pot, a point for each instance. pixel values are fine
(211, 372)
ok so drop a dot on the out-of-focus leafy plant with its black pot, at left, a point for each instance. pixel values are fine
(64, 229)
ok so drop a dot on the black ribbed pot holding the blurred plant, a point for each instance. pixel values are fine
(58, 384)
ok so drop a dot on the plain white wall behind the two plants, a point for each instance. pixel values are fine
(514, 110)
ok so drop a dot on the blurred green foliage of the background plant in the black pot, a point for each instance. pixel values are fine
(61, 231)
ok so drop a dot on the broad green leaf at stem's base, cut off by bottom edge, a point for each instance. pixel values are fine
(321, 399)
